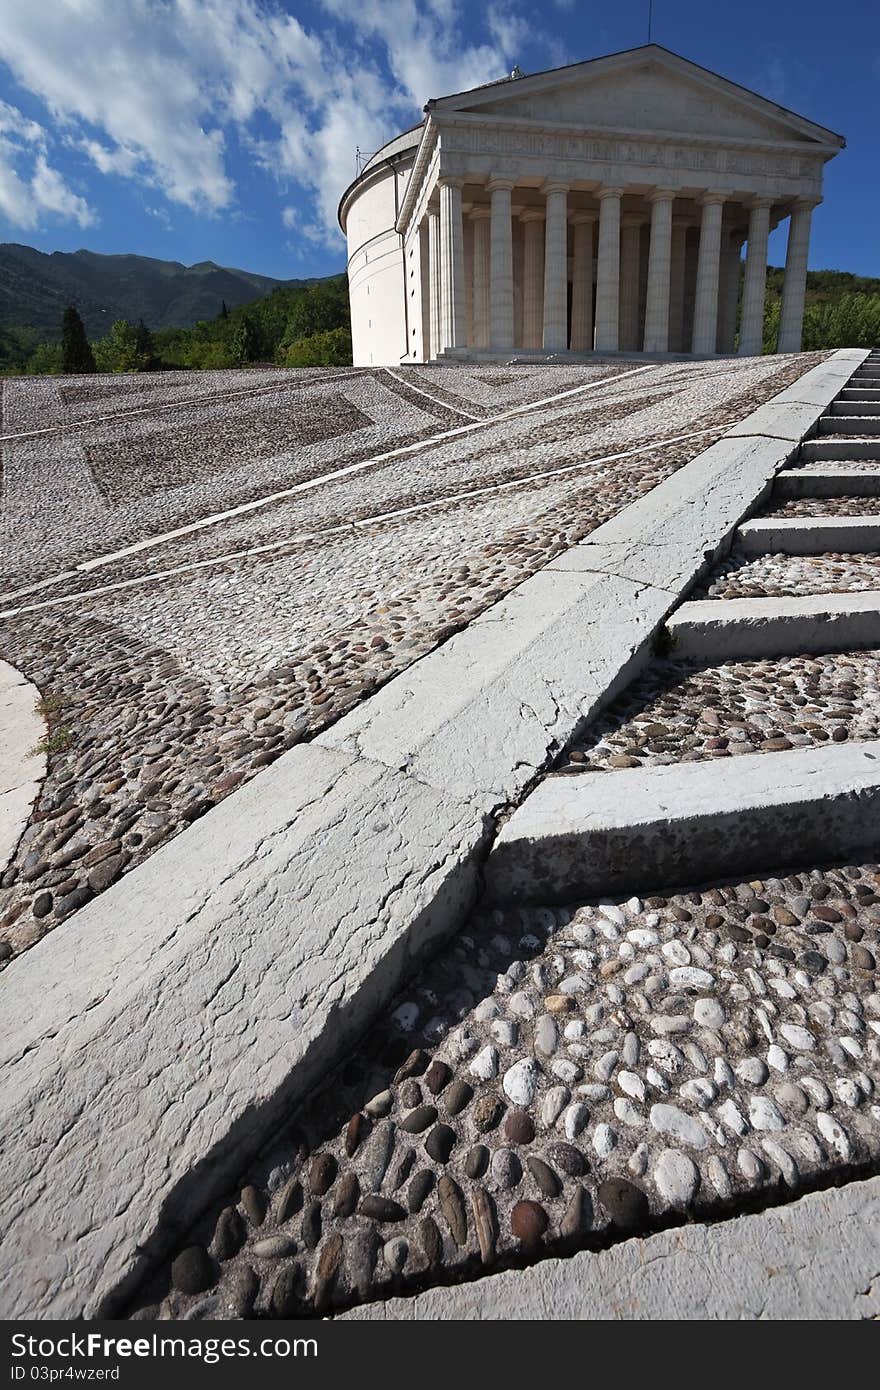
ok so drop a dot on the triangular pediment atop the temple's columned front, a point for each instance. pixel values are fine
(644, 90)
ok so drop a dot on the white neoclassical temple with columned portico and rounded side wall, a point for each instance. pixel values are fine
(601, 206)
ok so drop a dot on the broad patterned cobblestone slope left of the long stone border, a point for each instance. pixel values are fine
(174, 673)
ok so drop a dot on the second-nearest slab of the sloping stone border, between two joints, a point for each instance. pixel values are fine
(482, 717)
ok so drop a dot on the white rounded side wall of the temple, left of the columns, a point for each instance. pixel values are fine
(377, 291)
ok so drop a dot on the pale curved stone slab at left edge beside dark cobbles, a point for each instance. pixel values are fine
(23, 767)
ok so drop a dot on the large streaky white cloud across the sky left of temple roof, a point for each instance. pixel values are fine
(163, 91)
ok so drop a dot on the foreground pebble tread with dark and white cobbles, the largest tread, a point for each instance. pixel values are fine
(560, 1078)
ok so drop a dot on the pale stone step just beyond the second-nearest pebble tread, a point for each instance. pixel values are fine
(728, 630)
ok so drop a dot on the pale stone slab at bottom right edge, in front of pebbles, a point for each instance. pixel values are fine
(817, 1259)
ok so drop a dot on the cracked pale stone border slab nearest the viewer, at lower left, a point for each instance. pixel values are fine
(220, 982)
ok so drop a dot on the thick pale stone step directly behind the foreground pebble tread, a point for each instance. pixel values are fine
(643, 828)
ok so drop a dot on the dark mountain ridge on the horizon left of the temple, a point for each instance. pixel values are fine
(37, 287)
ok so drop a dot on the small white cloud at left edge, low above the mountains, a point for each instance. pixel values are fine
(30, 187)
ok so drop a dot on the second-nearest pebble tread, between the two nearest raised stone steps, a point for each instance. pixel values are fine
(686, 712)
